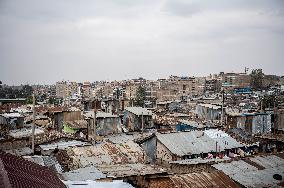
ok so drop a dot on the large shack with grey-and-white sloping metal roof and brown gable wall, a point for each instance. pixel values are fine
(193, 144)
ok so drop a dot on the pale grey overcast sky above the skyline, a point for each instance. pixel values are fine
(44, 41)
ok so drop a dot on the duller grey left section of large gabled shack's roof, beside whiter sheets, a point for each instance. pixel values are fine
(187, 143)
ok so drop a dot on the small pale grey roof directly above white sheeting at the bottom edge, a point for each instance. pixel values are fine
(83, 174)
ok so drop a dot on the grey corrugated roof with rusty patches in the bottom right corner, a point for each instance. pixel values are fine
(249, 176)
